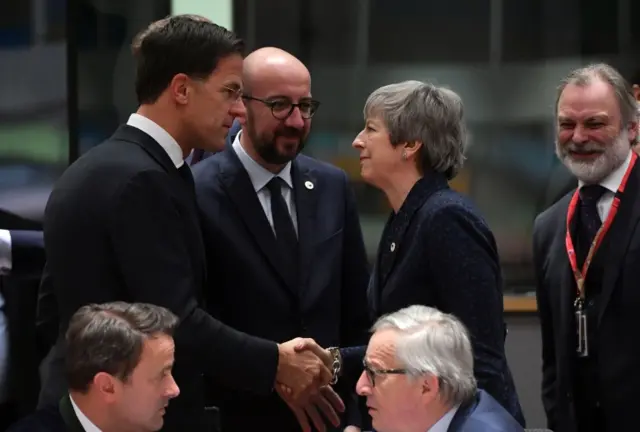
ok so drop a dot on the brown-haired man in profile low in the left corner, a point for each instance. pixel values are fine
(119, 361)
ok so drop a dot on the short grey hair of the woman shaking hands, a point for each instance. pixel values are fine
(414, 111)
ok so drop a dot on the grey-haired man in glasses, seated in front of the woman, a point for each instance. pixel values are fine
(418, 375)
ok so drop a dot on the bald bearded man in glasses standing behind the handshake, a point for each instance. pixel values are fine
(285, 237)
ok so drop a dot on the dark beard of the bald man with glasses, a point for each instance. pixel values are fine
(266, 145)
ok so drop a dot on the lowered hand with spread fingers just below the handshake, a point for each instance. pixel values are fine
(327, 400)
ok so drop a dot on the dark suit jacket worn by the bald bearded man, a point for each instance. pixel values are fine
(251, 292)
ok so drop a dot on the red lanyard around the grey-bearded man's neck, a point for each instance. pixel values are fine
(579, 275)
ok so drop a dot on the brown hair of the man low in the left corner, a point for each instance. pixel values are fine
(109, 338)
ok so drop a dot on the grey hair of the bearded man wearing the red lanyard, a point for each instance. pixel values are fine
(585, 76)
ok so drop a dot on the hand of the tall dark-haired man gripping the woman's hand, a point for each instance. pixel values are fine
(303, 372)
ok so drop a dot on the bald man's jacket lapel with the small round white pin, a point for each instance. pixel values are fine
(305, 194)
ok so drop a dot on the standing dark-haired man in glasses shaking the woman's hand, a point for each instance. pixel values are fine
(122, 224)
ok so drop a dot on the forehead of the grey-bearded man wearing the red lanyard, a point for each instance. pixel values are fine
(593, 99)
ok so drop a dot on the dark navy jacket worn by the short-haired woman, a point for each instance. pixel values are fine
(439, 252)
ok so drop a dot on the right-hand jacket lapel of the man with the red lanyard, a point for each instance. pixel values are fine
(616, 241)
